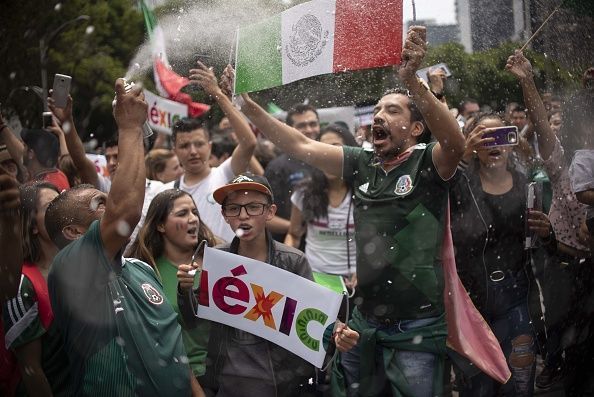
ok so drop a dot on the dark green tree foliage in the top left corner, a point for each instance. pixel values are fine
(94, 58)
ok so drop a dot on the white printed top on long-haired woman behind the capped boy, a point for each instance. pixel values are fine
(326, 239)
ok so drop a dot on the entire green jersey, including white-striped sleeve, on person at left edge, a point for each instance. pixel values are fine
(22, 325)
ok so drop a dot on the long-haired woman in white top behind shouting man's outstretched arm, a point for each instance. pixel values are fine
(323, 212)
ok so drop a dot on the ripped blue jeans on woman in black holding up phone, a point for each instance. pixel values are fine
(507, 315)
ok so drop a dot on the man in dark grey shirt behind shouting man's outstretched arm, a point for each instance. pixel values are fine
(285, 172)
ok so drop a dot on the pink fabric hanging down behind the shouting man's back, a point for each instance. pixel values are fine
(468, 333)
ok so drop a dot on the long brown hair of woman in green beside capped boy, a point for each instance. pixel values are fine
(149, 244)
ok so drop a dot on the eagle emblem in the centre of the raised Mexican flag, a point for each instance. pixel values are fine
(307, 41)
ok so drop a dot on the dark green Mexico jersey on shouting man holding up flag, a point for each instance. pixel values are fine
(399, 218)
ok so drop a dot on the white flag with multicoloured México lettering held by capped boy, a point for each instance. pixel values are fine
(269, 302)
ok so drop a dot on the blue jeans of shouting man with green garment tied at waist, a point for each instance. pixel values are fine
(418, 367)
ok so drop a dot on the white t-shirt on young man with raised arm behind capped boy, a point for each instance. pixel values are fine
(208, 208)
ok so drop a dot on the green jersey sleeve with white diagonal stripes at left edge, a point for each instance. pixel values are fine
(20, 316)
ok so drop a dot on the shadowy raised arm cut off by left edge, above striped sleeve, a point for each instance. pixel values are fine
(11, 260)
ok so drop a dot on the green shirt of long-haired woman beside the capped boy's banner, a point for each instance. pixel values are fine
(195, 339)
